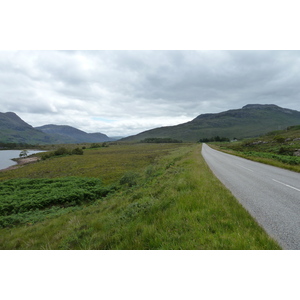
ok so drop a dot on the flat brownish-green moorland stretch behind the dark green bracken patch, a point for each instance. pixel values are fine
(109, 164)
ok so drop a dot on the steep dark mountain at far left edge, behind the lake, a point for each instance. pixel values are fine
(14, 130)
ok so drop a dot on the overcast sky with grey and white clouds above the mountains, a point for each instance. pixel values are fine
(122, 93)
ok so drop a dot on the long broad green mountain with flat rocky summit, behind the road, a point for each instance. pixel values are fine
(250, 121)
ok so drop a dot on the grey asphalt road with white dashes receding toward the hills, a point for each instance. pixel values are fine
(270, 194)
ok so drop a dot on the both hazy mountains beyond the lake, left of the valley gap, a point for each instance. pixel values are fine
(14, 130)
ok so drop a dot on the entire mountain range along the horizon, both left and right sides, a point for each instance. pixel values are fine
(249, 121)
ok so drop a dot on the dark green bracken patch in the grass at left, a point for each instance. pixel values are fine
(26, 201)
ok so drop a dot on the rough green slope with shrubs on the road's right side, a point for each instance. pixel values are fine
(279, 148)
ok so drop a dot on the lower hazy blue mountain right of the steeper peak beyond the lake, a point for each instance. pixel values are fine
(70, 134)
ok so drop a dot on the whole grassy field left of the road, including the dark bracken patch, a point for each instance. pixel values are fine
(125, 196)
